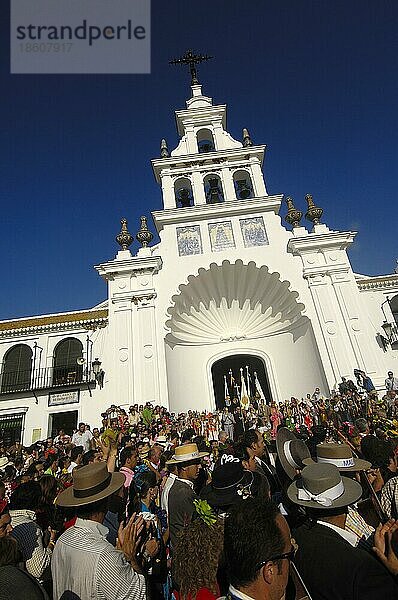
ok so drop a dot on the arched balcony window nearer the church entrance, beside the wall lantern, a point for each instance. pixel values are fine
(67, 355)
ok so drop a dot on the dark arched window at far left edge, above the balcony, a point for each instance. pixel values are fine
(17, 369)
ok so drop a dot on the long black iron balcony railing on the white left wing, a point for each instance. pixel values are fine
(44, 378)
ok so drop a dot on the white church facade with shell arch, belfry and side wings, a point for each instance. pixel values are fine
(227, 285)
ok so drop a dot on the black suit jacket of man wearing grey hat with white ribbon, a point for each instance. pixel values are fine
(332, 569)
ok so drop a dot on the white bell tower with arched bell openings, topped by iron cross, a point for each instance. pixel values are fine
(208, 166)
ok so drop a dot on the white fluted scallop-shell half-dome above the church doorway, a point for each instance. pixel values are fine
(232, 301)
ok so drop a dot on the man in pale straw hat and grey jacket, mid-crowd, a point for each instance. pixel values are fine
(187, 459)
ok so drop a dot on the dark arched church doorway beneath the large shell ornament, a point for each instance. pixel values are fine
(232, 372)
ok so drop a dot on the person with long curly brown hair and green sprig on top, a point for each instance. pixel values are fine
(197, 554)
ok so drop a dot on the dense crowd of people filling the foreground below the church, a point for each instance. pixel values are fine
(257, 500)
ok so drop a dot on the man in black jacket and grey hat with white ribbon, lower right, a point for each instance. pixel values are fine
(331, 564)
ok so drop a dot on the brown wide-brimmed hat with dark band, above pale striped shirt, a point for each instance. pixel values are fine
(90, 484)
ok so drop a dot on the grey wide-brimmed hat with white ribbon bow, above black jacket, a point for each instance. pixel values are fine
(322, 487)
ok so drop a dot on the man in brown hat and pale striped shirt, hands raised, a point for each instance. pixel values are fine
(85, 564)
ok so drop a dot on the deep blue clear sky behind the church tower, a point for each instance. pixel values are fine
(315, 81)
